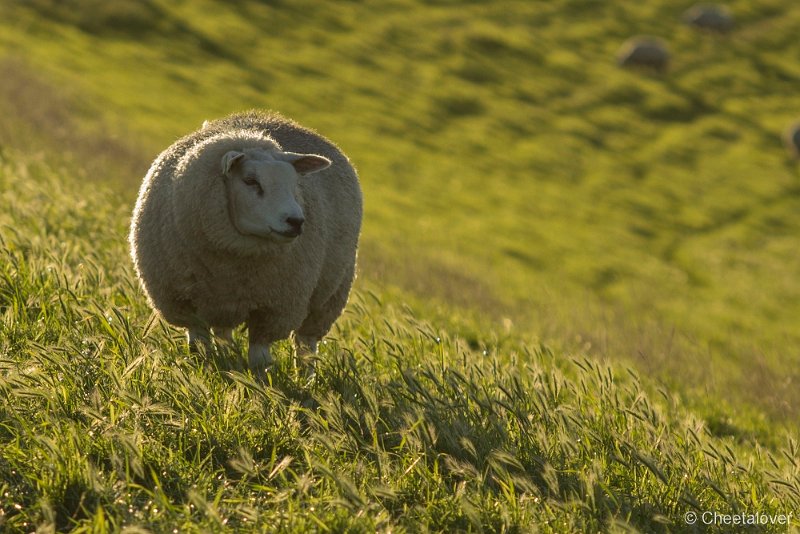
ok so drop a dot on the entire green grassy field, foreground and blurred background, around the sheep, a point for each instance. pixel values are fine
(531, 210)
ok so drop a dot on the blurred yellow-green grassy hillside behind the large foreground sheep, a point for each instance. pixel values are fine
(652, 219)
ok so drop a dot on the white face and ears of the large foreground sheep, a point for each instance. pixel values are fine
(262, 191)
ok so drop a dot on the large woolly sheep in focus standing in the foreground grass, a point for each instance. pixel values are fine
(252, 219)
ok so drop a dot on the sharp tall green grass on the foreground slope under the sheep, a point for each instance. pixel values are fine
(107, 422)
